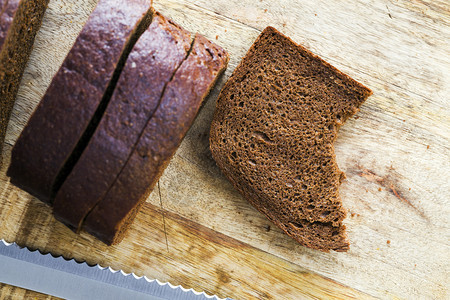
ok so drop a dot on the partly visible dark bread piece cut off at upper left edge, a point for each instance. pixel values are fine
(19, 23)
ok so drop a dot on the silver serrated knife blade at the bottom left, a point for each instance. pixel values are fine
(69, 279)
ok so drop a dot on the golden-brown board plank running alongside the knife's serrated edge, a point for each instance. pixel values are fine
(193, 256)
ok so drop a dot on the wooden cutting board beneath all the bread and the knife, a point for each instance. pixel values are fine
(195, 229)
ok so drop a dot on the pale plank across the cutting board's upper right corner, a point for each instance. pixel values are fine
(400, 42)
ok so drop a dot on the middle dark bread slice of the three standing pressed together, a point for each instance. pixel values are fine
(154, 59)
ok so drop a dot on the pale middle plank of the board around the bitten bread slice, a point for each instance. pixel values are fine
(386, 147)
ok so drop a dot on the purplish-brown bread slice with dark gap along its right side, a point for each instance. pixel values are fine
(61, 124)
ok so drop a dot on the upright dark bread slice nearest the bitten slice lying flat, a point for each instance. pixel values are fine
(109, 220)
